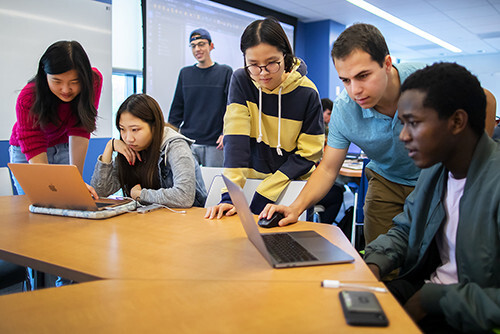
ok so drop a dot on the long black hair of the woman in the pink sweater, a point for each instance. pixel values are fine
(59, 58)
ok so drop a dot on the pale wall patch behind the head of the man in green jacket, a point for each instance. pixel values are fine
(486, 67)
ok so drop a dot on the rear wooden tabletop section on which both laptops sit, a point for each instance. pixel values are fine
(156, 245)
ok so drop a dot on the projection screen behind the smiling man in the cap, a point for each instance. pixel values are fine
(168, 26)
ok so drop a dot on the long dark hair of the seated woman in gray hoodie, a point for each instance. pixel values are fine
(146, 172)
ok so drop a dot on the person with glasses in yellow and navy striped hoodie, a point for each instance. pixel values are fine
(273, 126)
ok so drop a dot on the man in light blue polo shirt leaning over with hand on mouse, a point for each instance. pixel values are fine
(365, 114)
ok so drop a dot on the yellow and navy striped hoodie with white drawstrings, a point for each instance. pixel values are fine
(276, 135)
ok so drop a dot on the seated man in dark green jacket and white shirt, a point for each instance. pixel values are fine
(447, 240)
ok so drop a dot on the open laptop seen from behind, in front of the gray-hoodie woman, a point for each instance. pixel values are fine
(61, 187)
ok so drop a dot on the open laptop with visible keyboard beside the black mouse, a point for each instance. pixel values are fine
(285, 249)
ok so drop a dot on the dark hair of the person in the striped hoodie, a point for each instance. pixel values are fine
(268, 31)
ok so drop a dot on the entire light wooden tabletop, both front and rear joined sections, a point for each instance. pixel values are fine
(171, 272)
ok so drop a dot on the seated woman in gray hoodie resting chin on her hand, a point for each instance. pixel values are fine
(154, 163)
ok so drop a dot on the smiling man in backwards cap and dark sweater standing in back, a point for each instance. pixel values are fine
(200, 100)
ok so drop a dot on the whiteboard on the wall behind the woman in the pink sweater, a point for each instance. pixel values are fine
(28, 27)
